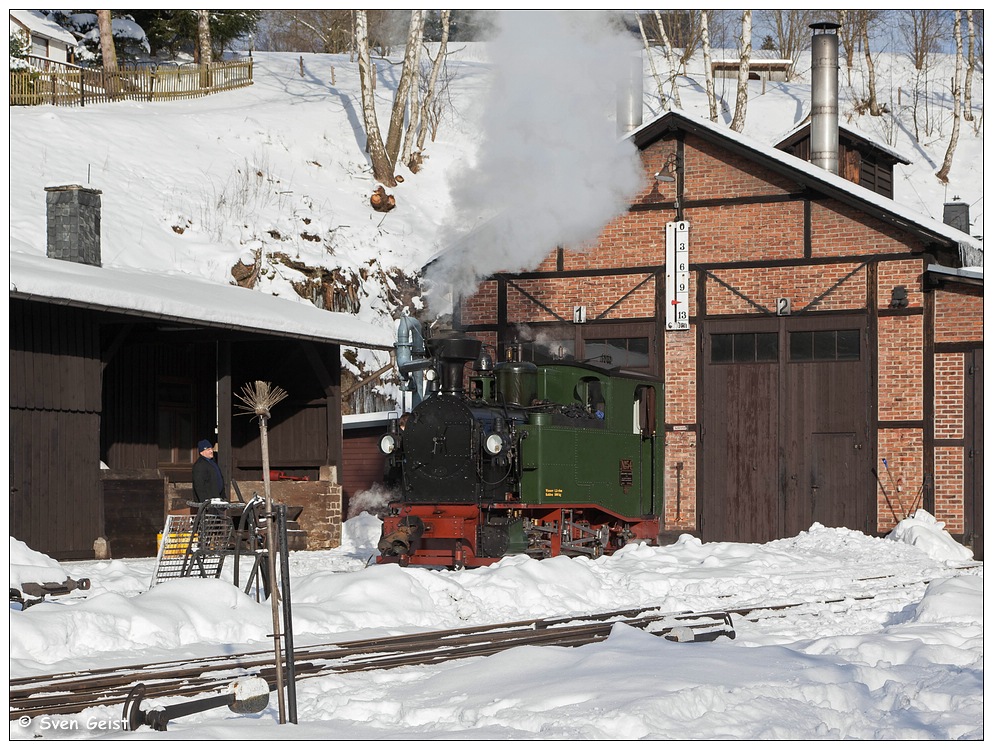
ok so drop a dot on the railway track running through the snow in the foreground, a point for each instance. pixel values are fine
(72, 692)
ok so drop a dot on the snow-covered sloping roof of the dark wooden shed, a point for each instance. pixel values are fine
(184, 298)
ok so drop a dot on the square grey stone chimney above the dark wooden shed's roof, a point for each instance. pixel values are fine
(74, 224)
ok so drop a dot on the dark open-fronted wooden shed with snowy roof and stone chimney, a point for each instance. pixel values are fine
(116, 374)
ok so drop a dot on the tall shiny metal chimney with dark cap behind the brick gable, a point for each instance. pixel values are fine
(824, 96)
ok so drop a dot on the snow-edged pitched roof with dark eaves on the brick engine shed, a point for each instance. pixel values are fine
(968, 247)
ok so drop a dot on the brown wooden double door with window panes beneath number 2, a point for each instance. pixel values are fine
(785, 428)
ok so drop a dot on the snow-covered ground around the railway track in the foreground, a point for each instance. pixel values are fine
(906, 664)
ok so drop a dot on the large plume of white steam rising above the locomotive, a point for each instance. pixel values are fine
(551, 168)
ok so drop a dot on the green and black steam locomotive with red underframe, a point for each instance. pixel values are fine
(543, 460)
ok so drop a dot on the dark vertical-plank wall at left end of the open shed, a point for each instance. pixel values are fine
(55, 404)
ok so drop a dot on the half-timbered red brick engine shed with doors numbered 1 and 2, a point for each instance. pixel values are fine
(818, 368)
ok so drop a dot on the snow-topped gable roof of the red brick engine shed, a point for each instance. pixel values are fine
(873, 203)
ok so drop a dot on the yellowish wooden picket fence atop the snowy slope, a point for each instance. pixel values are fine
(61, 84)
